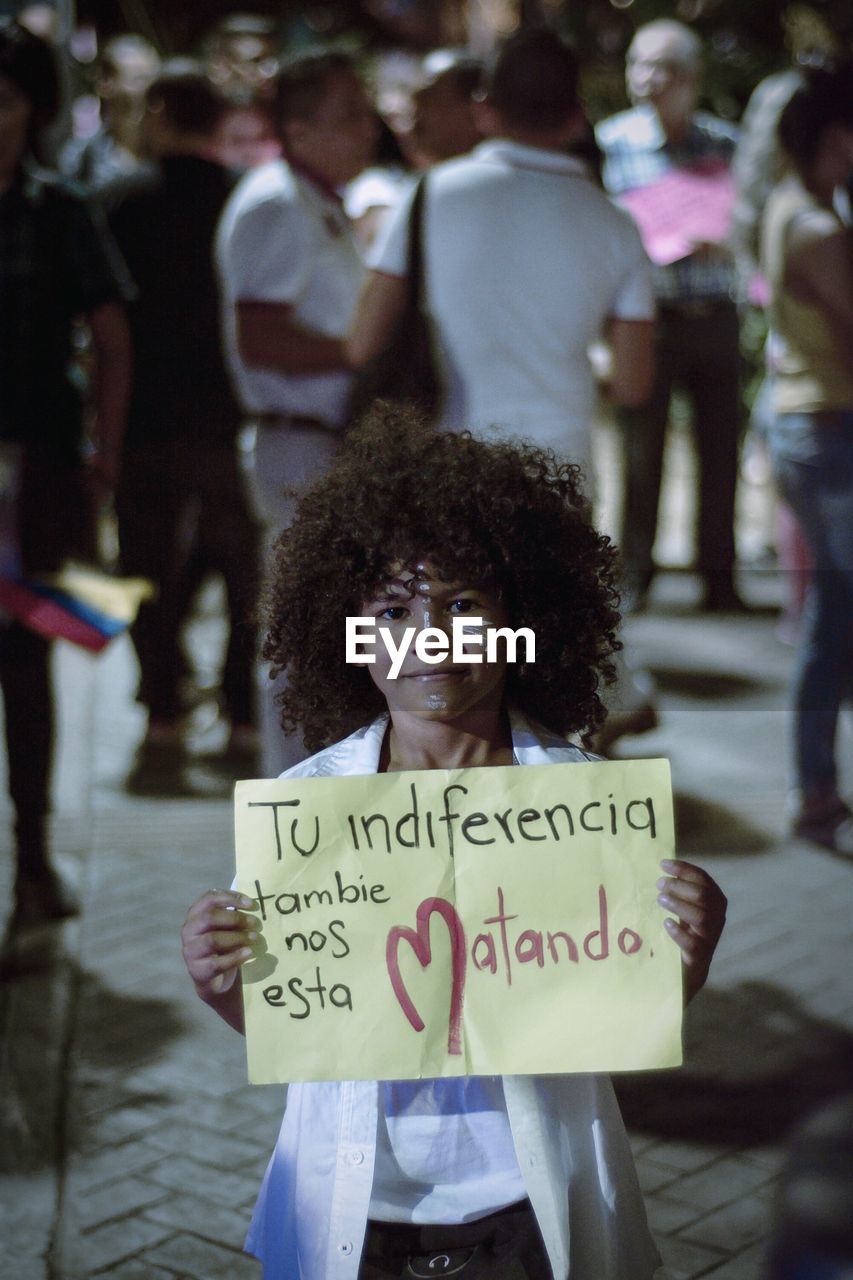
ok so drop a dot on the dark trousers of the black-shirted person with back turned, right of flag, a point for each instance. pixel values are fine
(176, 504)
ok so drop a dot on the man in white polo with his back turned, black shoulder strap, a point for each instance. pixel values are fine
(527, 264)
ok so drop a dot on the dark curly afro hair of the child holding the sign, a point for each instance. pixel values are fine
(402, 492)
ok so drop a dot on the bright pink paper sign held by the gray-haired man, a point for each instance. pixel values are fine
(683, 209)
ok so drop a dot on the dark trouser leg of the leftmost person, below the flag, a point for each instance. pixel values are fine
(25, 679)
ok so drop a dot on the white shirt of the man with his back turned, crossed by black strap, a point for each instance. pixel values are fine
(526, 259)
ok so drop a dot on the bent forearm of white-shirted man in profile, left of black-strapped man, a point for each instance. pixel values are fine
(270, 337)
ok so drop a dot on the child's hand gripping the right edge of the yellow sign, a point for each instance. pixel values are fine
(700, 906)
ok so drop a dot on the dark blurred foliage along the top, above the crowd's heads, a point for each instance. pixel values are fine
(745, 40)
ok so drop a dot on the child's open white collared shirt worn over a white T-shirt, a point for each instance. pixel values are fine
(571, 1142)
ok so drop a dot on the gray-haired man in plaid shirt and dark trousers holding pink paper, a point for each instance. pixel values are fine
(660, 138)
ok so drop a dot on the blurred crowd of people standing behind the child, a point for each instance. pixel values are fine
(206, 259)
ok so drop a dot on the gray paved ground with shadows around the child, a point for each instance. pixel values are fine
(131, 1146)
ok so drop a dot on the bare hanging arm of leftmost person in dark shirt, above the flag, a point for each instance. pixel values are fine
(113, 362)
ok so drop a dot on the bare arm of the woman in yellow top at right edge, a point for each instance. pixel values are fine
(819, 269)
